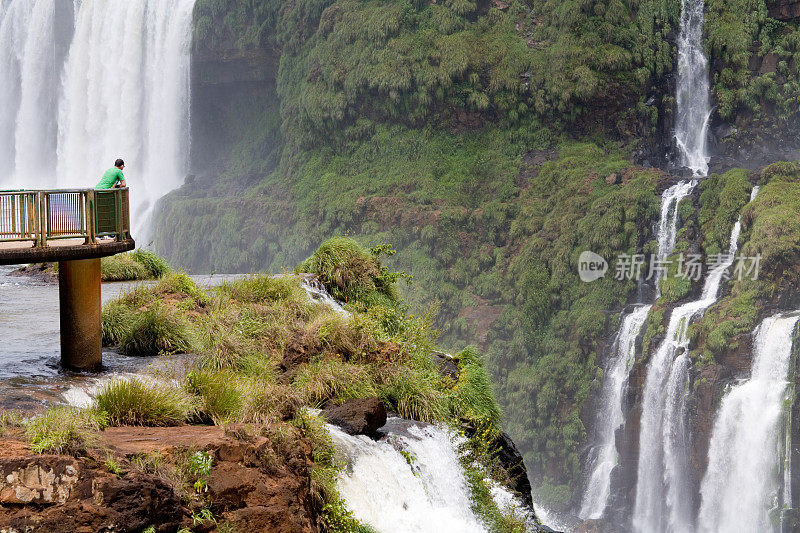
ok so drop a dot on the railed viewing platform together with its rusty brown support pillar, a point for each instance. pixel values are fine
(74, 227)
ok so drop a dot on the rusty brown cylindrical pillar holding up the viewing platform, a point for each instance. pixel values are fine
(79, 297)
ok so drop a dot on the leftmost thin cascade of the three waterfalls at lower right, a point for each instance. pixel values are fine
(610, 416)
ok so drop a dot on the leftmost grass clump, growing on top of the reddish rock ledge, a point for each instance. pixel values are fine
(65, 430)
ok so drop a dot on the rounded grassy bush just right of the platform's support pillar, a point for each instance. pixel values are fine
(154, 331)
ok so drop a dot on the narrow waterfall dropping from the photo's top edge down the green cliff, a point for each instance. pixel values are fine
(692, 95)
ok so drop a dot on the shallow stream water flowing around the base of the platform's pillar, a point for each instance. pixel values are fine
(30, 374)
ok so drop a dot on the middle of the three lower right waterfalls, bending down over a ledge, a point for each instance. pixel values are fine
(663, 501)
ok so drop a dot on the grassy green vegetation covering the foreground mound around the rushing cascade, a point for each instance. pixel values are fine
(267, 352)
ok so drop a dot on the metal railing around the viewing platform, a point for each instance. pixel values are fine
(42, 215)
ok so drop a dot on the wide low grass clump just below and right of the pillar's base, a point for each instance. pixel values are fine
(136, 402)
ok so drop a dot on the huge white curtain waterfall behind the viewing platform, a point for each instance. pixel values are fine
(86, 81)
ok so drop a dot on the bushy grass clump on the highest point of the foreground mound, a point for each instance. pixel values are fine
(351, 273)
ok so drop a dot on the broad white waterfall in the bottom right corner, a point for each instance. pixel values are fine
(742, 482)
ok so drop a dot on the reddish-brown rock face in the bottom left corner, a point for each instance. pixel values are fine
(44, 493)
